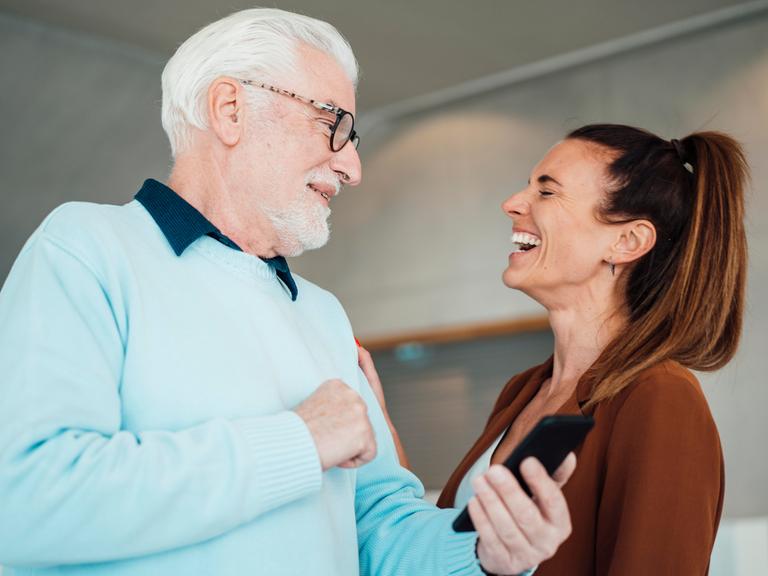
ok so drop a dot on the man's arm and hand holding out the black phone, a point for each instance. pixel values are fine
(400, 533)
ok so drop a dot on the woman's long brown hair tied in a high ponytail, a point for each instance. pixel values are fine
(685, 298)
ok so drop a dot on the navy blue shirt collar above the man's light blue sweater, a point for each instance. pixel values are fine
(182, 224)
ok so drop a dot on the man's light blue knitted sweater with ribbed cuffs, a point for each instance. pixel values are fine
(146, 424)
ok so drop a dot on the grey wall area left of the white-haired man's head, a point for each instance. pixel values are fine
(79, 120)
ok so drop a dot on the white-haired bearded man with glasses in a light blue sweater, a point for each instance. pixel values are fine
(175, 401)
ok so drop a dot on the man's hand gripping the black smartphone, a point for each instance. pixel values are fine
(516, 532)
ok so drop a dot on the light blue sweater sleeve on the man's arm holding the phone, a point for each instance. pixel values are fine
(398, 531)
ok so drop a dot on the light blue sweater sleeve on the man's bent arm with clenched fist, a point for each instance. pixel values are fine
(74, 486)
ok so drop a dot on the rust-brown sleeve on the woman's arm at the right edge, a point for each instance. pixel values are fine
(663, 483)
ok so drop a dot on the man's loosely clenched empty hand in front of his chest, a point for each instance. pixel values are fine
(337, 418)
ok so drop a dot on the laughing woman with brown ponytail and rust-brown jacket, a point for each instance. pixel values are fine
(636, 247)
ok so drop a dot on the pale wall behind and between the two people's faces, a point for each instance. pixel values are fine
(422, 241)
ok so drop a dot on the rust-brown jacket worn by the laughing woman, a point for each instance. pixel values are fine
(647, 493)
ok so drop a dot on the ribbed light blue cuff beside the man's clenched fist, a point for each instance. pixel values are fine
(285, 460)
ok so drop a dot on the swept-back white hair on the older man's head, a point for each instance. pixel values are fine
(259, 44)
